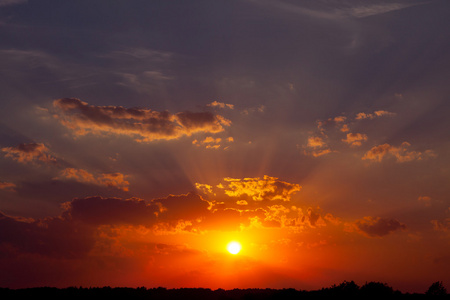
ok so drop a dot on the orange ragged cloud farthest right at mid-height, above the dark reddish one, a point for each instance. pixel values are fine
(401, 153)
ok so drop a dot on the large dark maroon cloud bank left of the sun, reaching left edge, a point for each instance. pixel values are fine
(84, 225)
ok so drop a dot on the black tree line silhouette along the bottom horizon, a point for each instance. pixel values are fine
(347, 289)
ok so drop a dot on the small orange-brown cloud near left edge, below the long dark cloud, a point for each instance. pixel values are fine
(27, 153)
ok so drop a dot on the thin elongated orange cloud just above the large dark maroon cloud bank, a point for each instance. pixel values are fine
(116, 180)
